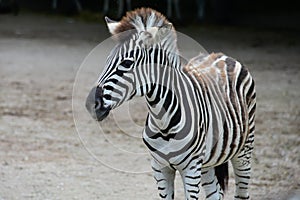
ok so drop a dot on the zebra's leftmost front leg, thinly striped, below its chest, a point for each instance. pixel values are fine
(164, 177)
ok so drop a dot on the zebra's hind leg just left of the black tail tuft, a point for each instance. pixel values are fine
(210, 184)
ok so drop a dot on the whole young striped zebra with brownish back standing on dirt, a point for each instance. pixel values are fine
(201, 112)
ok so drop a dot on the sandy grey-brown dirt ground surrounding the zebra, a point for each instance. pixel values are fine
(44, 155)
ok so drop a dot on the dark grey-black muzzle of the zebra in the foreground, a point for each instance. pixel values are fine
(95, 105)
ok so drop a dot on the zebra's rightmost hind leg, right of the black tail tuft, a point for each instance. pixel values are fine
(242, 169)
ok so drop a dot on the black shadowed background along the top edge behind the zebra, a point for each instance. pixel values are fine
(258, 13)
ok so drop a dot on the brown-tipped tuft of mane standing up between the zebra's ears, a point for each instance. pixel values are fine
(141, 19)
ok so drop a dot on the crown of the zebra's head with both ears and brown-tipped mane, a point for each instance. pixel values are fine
(151, 27)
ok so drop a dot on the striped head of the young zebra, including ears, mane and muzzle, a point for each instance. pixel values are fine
(144, 37)
